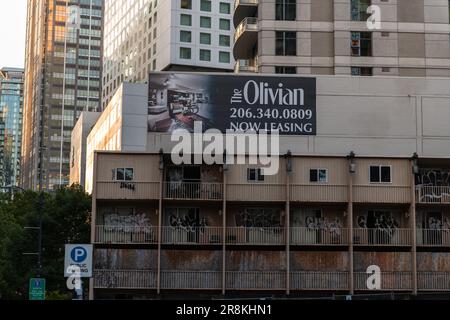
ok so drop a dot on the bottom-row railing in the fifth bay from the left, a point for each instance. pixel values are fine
(390, 281)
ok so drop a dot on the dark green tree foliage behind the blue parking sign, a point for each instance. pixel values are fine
(66, 219)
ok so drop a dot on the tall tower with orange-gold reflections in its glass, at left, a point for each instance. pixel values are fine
(62, 79)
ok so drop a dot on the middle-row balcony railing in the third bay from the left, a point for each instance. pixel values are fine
(256, 236)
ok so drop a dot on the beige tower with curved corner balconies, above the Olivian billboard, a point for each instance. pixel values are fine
(332, 37)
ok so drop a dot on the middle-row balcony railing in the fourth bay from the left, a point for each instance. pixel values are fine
(330, 236)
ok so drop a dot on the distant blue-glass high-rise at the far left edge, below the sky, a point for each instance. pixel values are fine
(11, 104)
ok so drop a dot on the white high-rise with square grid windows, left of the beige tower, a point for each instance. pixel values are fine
(150, 35)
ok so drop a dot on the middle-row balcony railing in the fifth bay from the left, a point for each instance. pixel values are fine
(382, 237)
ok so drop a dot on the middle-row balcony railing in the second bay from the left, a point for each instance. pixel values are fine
(192, 235)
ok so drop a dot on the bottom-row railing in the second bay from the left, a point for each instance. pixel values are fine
(206, 280)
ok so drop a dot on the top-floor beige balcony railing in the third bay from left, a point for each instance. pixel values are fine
(256, 192)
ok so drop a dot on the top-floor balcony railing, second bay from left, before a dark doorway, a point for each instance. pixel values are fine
(193, 191)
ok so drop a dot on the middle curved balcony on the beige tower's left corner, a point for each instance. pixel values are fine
(245, 39)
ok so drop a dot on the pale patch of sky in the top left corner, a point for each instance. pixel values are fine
(13, 16)
